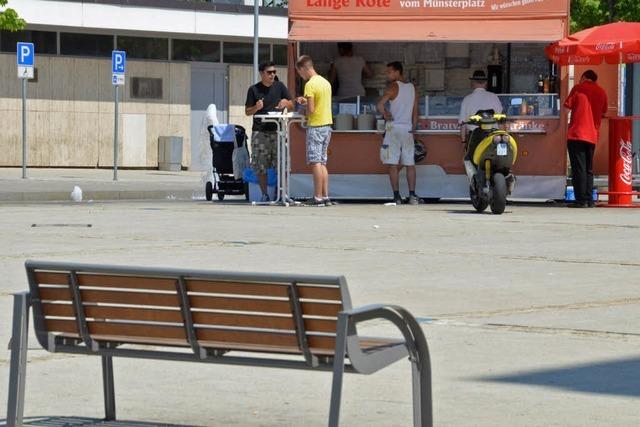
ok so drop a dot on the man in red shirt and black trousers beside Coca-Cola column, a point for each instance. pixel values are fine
(588, 104)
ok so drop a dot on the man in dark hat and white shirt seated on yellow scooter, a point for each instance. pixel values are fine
(479, 99)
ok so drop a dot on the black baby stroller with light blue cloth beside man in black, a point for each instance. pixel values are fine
(224, 139)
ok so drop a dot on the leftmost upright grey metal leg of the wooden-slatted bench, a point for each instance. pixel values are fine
(17, 376)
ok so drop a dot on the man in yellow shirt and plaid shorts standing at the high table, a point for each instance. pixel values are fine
(317, 99)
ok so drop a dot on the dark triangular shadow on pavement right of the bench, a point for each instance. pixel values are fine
(619, 377)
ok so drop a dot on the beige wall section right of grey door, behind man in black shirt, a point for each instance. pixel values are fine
(240, 78)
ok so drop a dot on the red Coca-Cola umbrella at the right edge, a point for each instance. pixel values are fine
(615, 43)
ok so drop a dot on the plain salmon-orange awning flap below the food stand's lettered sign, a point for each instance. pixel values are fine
(381, 30)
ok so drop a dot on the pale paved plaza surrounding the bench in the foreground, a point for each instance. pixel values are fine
(532, 317)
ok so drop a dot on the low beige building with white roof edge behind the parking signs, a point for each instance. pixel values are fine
(181, 57)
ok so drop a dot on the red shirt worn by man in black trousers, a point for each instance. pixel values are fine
(588, 104)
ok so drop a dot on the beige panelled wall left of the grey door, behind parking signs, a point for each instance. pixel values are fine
(71, 113)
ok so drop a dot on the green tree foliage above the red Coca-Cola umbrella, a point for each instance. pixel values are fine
(589, 13)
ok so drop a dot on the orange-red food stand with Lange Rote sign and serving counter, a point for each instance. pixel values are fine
(440, 43)
